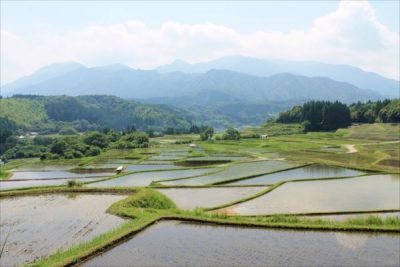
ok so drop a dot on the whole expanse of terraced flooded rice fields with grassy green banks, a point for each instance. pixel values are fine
(235, 178)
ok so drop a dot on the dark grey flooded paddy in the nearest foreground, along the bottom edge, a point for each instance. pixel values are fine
(182, 244)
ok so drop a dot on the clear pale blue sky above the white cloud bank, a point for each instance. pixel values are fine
(25, 16)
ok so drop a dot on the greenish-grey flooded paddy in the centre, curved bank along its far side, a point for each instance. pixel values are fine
(236, 171)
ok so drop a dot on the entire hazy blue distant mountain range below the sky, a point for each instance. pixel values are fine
(232, 90)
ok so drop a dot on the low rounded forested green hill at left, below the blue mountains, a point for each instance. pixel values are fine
(51, 113)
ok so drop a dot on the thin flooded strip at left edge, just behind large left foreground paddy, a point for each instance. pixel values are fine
(5, 185)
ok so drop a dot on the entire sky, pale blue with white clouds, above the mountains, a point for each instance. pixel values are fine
(147, 34)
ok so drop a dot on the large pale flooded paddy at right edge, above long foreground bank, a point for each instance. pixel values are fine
(365, 193)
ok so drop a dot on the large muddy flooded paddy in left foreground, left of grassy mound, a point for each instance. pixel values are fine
(37, 226)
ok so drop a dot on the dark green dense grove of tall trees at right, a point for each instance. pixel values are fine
(328, 116)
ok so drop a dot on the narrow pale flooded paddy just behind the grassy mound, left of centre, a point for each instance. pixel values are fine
(145, 178)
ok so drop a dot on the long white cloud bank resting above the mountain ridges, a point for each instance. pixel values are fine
(350, 35)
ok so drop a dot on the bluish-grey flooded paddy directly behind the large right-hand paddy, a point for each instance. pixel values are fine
(308, 172)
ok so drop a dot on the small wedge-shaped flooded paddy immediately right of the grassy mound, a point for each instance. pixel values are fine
(190, 198)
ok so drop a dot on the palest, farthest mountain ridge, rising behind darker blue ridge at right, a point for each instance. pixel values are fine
(264, 68)
